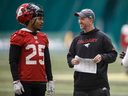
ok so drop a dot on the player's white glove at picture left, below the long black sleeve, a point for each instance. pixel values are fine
(18, 87)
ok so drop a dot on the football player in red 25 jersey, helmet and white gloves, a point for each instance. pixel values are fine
(29, 54)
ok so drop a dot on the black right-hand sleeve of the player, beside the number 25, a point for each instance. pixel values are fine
(48, 64)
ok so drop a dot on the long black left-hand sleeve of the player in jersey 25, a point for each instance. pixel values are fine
(14, 54)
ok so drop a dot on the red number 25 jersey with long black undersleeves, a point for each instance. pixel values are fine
(29, 57)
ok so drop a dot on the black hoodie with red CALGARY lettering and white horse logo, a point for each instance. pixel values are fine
(88, 45)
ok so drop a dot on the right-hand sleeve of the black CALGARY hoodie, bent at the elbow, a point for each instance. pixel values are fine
(110, 54)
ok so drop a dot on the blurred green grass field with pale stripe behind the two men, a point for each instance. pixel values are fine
(64, 77)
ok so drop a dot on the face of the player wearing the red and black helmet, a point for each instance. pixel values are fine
(38, 24)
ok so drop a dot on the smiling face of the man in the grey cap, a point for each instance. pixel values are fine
(84, 22)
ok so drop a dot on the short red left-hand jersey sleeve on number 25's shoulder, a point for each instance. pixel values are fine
(16, 38)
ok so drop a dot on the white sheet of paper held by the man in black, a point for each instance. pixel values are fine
(85, 65)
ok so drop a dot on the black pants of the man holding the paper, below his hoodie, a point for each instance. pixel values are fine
(98, 92)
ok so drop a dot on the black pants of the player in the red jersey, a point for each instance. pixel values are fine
(33, 89)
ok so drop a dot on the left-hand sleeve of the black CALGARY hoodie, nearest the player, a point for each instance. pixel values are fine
(71, 54)
